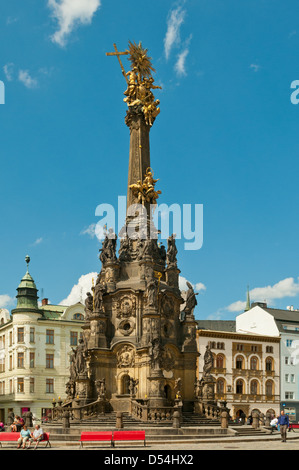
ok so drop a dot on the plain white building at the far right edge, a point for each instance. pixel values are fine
(260, 319)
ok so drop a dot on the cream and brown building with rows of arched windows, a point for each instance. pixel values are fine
(246, 367)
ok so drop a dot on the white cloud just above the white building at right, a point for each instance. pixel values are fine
(285, 288)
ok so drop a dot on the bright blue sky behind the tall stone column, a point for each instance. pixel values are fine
(226, 137)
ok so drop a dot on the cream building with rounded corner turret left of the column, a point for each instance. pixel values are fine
(35, 346)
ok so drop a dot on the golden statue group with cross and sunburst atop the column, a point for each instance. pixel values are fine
(140, 82)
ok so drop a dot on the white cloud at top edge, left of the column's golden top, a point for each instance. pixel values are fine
(69, 14)
